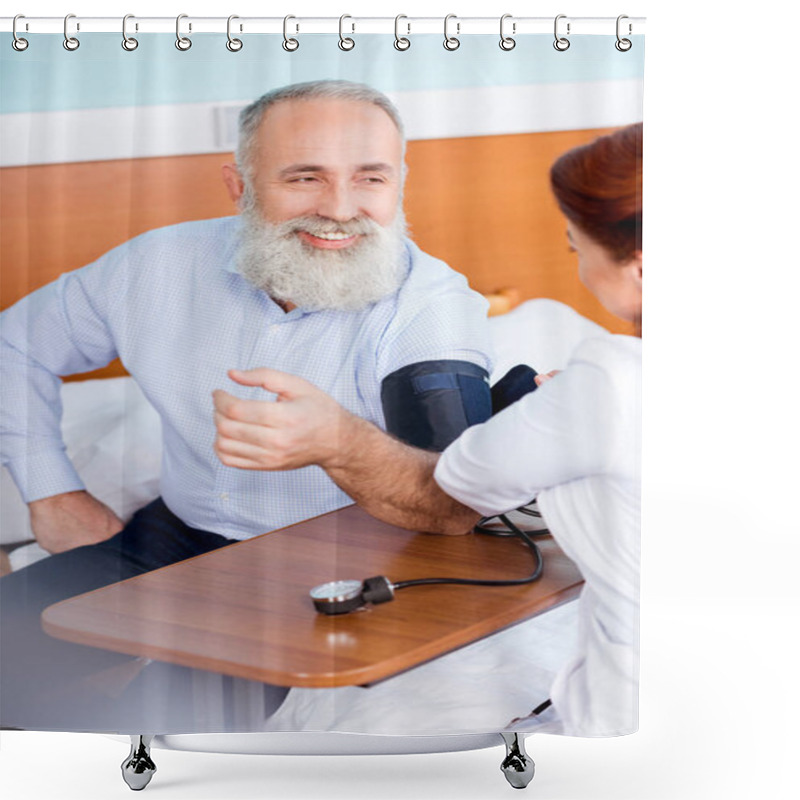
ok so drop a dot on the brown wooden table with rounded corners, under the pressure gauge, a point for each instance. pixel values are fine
(244, 610)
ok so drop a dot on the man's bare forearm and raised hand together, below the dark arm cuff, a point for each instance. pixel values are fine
(387, 478)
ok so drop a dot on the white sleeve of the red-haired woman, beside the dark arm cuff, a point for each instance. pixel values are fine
(562, 432)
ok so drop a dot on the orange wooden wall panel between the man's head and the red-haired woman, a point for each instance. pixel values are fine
(485, 207)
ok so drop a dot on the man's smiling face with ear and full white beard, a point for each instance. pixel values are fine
(320, 200)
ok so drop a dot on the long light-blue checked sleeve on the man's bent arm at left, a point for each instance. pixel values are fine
(61, 329)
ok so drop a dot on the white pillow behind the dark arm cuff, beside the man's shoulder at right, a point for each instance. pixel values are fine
(541, 333)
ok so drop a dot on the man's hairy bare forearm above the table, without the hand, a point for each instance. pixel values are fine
(394, 482)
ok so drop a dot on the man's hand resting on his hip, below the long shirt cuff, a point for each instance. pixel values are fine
(73, 519)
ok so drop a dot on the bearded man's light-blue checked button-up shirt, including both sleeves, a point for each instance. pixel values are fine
(172, 306)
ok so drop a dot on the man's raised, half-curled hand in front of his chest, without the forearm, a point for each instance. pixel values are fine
(303, 426)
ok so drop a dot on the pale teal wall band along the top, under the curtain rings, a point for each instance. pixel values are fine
(100, 74)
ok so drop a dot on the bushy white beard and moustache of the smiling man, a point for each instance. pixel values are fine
(274, 258)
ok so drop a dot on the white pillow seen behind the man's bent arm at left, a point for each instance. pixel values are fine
(113, 436)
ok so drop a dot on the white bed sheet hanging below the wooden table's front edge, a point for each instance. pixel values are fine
(478, 688)
